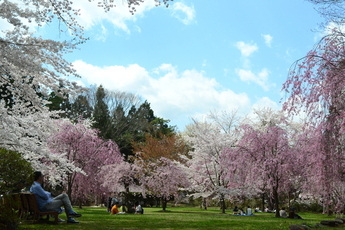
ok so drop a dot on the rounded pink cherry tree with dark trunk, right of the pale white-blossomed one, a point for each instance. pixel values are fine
(264, 160)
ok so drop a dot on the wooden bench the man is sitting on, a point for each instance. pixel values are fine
(29, 205)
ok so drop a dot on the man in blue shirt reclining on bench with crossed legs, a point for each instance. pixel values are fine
(46, 202)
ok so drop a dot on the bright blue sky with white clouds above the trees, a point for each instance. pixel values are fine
(196, 56)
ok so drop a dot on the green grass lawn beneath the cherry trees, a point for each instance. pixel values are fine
(176, 218)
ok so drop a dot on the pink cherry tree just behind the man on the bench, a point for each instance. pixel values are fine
(82, 147)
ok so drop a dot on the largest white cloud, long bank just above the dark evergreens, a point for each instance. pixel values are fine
(173, 95)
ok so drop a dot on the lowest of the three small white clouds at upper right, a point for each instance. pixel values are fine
(261, 78)
